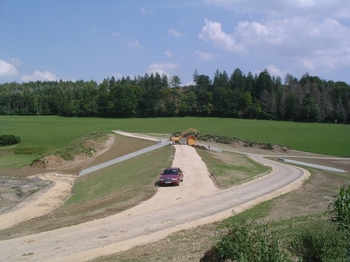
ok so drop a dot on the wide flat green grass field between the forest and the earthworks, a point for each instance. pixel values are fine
(48, 133)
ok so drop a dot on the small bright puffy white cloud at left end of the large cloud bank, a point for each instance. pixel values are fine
(212, 32)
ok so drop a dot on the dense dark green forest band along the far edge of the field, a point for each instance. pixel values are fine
(262, 96)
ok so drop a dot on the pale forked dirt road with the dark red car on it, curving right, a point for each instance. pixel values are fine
(196, 201)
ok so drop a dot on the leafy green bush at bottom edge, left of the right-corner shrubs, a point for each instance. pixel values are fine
(248, 242)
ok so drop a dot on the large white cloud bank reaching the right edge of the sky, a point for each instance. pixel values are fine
(305, 42)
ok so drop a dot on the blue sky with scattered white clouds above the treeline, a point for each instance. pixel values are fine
(97, 39)
